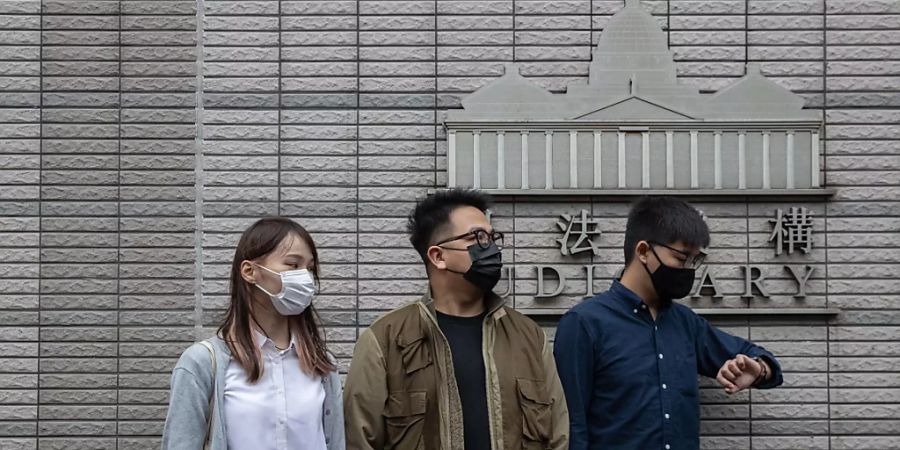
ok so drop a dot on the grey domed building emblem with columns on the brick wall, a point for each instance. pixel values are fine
(633, 127)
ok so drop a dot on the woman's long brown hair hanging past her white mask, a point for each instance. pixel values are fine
(259, 240)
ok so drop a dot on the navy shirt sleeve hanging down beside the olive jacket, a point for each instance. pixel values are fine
(573, 349)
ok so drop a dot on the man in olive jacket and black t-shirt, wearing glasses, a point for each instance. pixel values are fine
(456, 369)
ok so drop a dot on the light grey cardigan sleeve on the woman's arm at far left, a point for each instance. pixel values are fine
(185, 427)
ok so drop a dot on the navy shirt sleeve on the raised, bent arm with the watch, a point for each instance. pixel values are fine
(715, 346)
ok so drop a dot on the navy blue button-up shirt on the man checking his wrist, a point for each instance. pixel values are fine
(630, 381)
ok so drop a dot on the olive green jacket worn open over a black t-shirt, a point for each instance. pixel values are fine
(401, 391)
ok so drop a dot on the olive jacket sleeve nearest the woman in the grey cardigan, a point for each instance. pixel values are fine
(365, 395)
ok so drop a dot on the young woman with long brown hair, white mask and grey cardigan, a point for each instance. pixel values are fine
(266, 380)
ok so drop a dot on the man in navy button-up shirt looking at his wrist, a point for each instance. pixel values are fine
(628, 358)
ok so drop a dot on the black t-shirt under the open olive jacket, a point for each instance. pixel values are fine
(465, 336)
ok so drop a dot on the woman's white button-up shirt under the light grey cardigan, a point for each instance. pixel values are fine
(282, 411)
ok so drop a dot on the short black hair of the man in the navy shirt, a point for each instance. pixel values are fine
(665, 220)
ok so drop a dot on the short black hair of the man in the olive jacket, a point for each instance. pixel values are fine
(432, 215)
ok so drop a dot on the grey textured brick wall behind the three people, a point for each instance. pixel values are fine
(138, 138)
